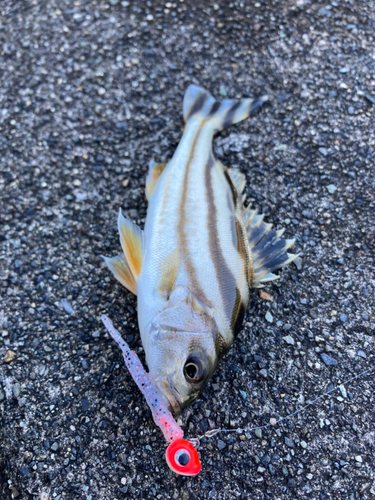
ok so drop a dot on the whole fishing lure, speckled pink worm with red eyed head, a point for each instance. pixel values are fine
(181, 455)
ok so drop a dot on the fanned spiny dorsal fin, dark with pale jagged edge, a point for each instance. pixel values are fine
(268, 248)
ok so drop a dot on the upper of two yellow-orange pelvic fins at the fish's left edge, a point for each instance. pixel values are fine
(131, 238)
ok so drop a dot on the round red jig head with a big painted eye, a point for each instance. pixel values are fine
(183, 458)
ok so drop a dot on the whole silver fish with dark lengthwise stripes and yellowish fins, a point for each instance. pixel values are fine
(200, 253)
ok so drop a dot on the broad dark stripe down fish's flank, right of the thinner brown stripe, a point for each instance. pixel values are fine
(225, 278)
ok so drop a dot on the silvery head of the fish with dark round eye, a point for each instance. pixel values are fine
(181, 354)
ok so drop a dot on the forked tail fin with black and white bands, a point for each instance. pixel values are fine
(200, 105)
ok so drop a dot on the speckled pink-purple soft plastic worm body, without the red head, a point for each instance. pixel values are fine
(162, 416)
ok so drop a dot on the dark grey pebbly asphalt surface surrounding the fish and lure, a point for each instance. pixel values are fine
(90, 91)
